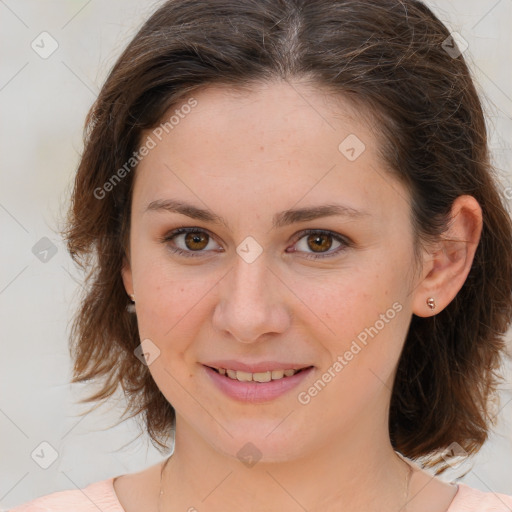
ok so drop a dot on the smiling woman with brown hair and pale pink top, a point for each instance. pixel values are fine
(297, 199)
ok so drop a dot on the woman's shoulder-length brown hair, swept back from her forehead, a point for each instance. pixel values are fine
(388, 55)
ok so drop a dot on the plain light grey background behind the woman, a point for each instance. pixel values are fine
(43, 104)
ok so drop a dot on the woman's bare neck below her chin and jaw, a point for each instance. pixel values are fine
(351, 474)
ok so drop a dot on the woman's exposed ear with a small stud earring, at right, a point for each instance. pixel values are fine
(447, 266)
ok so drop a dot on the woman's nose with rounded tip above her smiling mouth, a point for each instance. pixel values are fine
(252, 304)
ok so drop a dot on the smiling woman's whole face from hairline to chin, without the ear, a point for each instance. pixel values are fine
(252, 174)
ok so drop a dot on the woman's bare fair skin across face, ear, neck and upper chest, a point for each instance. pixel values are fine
(247, 157)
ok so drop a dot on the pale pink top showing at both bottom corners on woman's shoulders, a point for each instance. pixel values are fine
(101, 496)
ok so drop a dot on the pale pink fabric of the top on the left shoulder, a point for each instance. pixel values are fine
(96, 496)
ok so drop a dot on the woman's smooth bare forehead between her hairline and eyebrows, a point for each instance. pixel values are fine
(274, 145)
